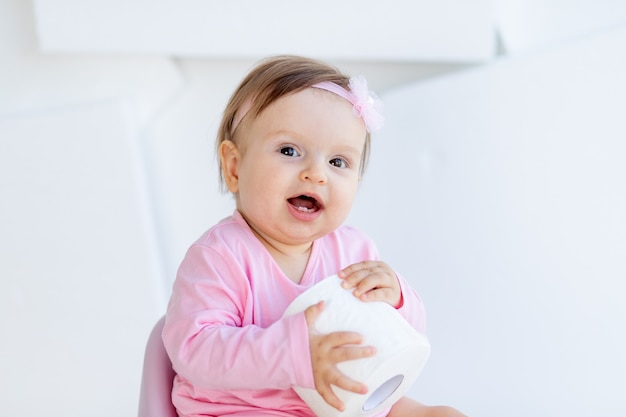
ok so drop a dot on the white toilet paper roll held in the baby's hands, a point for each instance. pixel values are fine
(401, 350)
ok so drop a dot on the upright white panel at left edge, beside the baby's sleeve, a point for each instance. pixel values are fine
(78, 274)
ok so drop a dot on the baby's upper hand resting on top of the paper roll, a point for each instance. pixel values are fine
(372, 281)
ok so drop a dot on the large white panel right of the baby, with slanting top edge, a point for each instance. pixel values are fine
(500, 194)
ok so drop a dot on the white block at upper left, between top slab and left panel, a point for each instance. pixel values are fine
(30, 81)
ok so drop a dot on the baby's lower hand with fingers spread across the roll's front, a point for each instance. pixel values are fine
(329, 349)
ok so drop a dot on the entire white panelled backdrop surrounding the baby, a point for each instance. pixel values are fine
(496, 187)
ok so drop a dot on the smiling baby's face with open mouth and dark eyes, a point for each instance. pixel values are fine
(299, 171)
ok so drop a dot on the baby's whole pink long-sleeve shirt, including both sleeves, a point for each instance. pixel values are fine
(232, 351)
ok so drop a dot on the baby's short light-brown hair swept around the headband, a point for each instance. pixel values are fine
(271, 79)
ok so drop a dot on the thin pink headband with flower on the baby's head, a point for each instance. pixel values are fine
(366, 104)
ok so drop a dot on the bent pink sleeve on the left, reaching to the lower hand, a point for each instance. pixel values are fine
(210, 337)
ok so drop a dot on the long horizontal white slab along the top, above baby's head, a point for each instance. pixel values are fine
(446, 30)
